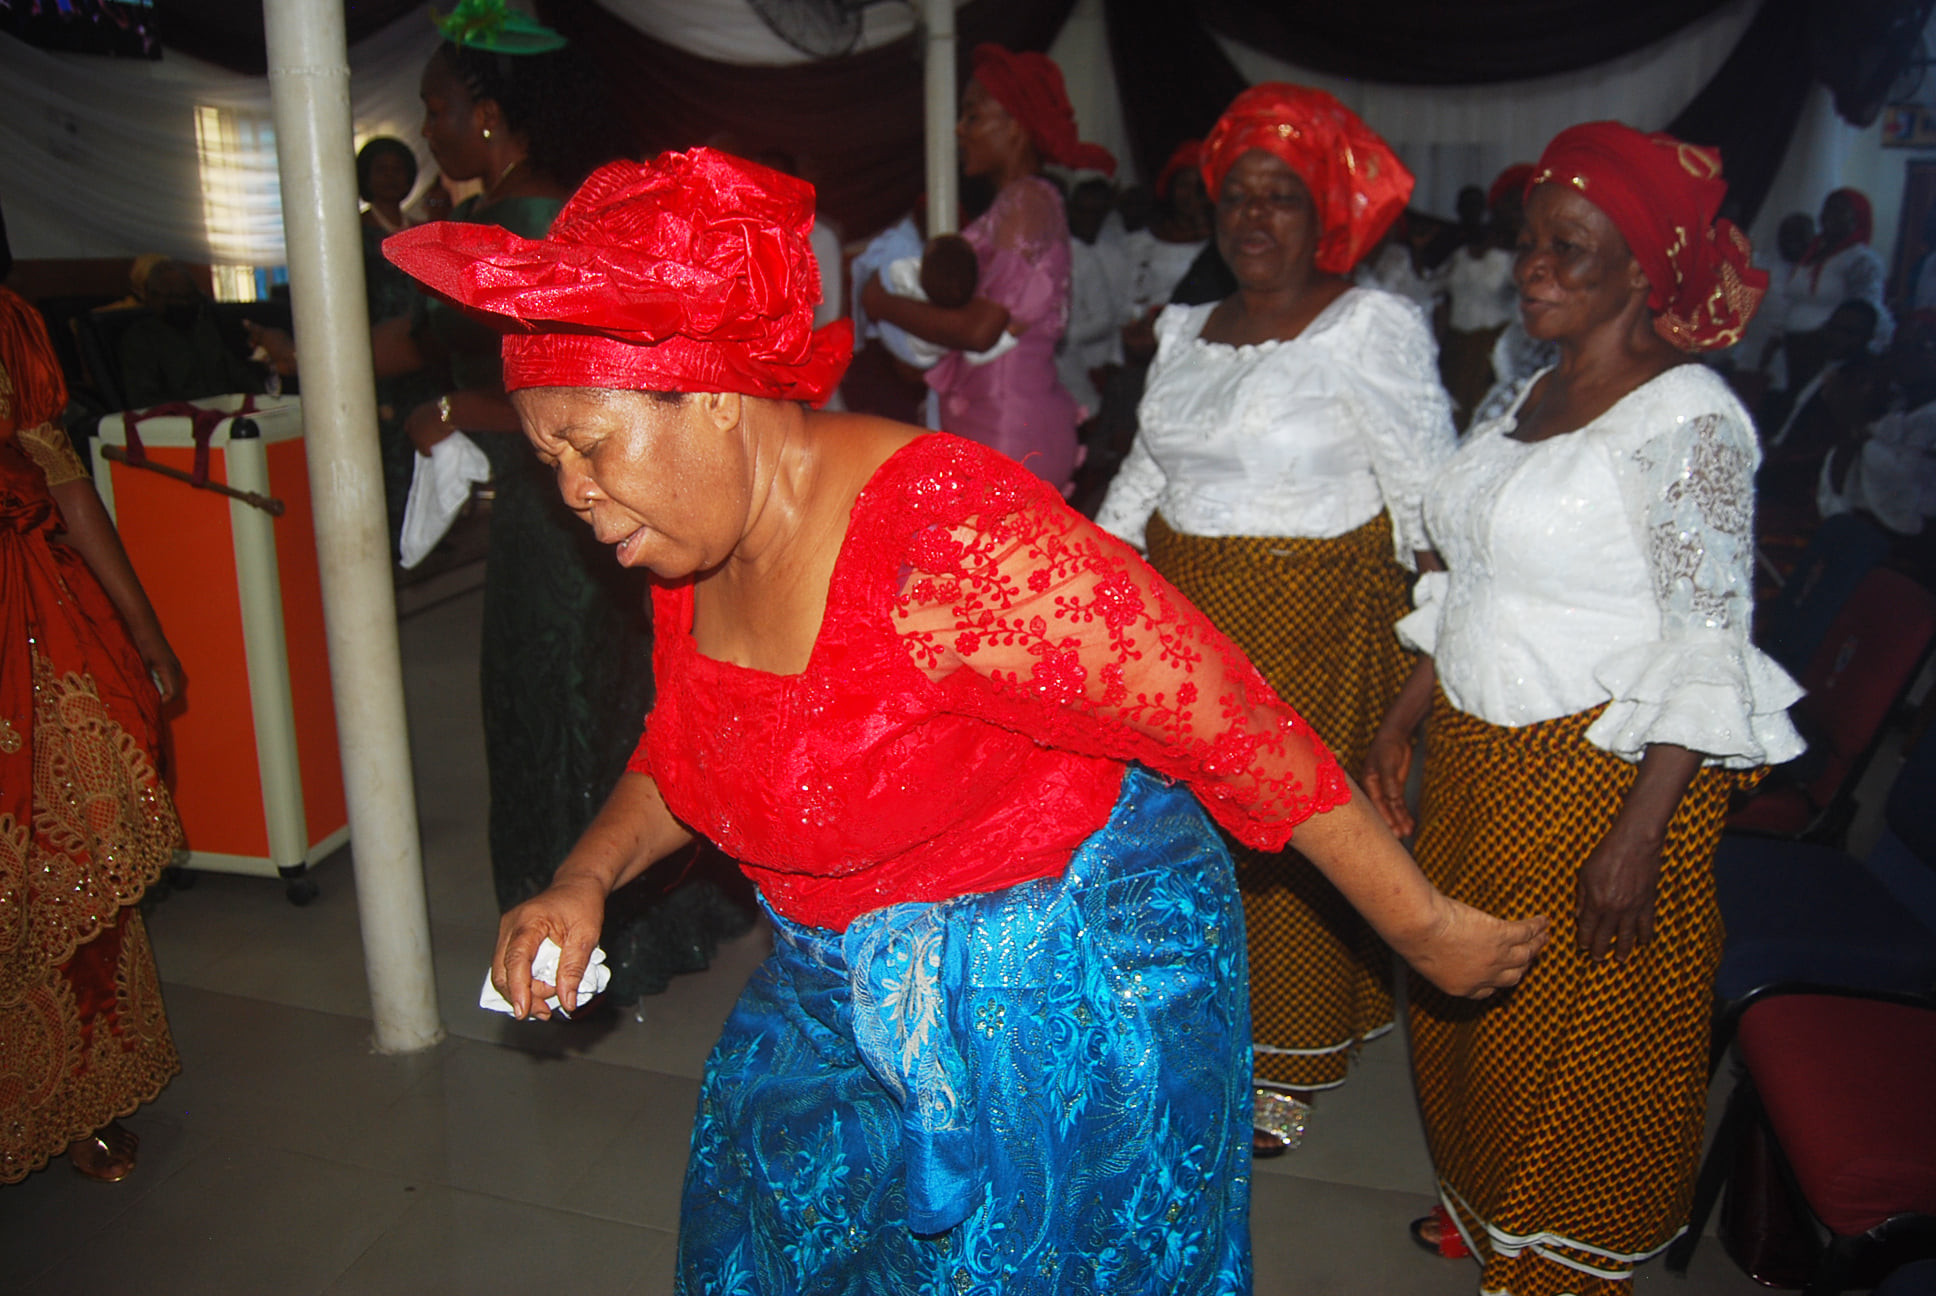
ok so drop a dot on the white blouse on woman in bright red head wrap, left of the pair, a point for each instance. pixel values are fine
(1288, 439)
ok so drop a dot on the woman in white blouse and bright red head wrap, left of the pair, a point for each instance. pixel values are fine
(1285, 439)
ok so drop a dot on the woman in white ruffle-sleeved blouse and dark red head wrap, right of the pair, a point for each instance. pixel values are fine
(1592, 700)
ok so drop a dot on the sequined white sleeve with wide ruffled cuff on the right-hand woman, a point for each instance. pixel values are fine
(1687, 479)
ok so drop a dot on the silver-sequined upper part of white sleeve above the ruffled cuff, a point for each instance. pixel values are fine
(1701, 526)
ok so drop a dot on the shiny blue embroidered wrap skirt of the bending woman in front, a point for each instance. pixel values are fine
(1031, 1092)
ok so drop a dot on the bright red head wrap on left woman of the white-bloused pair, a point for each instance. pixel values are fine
(1356, 181)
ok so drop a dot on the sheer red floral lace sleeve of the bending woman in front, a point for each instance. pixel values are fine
(1027, 615)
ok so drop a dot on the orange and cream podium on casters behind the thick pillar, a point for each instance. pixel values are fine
(253, 743)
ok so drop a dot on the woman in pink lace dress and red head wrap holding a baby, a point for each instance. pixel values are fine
(1015, 117)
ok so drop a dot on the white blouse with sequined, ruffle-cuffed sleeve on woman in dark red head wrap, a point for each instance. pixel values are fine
(1610, 565)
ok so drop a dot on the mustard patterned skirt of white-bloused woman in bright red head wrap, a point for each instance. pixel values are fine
(1316, 617)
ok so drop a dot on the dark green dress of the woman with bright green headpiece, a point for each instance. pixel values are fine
(568, 677)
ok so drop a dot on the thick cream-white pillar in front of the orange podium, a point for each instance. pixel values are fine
(311, 98)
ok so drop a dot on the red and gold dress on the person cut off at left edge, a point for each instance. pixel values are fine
(86, 822)
